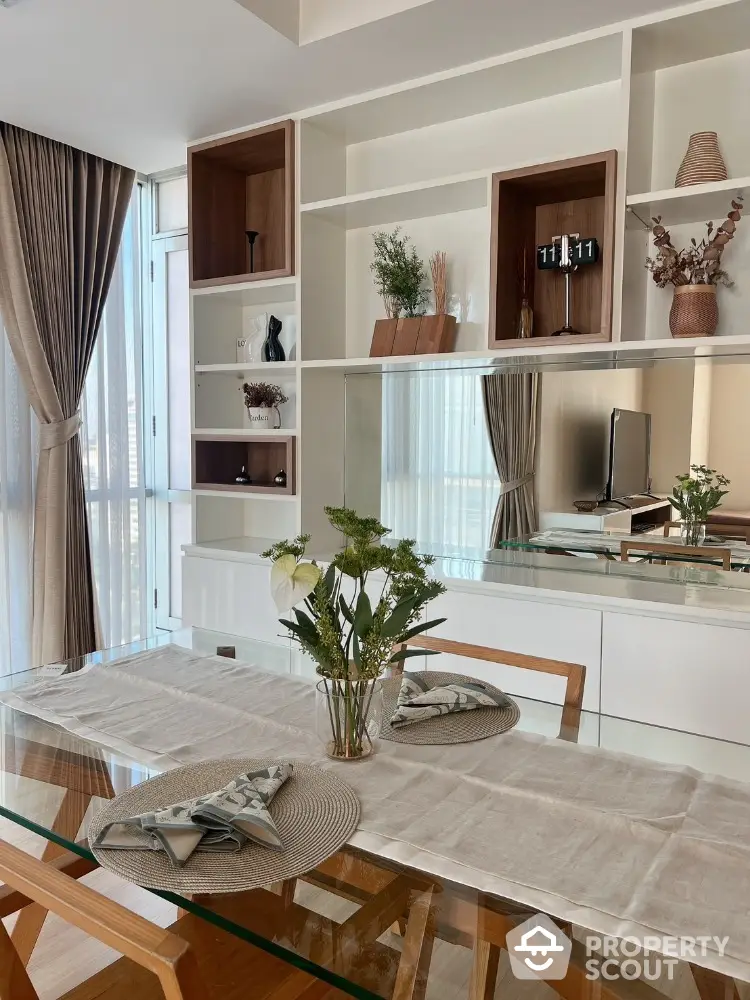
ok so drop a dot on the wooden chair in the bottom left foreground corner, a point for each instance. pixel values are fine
(159, 964)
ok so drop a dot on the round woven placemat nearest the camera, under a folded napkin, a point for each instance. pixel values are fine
(314, 811)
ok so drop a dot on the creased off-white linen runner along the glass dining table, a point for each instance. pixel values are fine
(614, 843)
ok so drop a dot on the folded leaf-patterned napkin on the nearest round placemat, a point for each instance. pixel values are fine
(223, 821)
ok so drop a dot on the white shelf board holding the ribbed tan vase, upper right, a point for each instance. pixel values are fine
(697, 203)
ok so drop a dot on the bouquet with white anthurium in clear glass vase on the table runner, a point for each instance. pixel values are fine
(335, 622)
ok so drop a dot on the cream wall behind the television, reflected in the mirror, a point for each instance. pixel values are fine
(574, 431)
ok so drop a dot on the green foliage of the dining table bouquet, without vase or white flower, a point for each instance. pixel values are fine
(340, 629)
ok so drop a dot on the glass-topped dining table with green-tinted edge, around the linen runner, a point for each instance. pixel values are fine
(366, 927)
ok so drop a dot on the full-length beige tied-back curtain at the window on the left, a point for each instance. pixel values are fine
(61, 217)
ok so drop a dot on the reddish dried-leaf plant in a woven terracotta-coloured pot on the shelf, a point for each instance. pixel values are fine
(695, 272)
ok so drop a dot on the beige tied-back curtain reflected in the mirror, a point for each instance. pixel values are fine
(510, 407)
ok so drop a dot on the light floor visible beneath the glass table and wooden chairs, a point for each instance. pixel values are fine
(65, 957)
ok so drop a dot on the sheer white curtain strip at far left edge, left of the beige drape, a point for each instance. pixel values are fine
(17, 465)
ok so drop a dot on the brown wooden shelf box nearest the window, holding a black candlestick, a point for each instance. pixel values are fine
(241, 183)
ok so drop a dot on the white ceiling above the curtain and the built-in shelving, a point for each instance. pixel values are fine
(134, 80)
